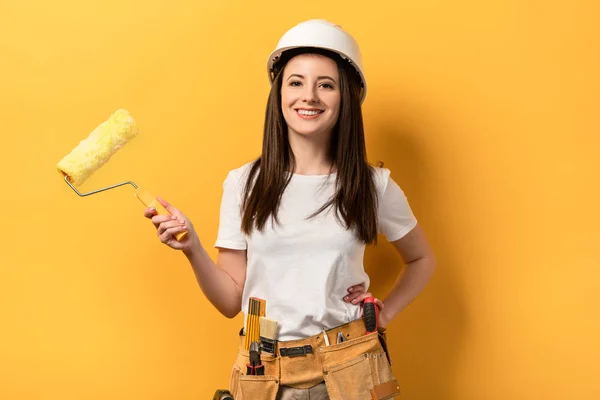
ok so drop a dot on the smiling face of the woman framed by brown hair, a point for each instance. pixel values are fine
(310, 95)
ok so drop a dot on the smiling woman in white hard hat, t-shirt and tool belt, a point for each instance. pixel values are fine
(294, 224)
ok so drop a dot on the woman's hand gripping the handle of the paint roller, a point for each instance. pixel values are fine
(167, 226)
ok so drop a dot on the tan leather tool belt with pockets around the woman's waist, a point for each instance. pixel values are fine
(357, 368)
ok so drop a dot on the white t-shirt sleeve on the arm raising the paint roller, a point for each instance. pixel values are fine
(230, 235)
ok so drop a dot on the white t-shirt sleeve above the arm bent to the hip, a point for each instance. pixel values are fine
(396, 217)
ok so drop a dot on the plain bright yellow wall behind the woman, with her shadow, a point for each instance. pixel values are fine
(486, 112)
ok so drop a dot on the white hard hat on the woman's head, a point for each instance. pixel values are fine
(321, 34)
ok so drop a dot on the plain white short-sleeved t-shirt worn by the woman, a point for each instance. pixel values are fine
(303, 267)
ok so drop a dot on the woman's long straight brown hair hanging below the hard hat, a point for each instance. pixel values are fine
(355, 197)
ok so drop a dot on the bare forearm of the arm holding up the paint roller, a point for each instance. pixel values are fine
(216, 284)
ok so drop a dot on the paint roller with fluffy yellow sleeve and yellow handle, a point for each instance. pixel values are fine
(95, 150)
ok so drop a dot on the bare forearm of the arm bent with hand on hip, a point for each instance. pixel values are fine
(407, 287)
